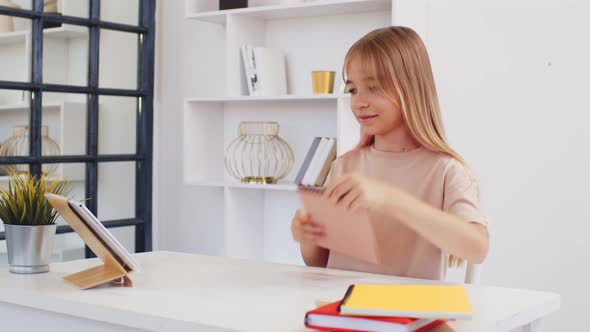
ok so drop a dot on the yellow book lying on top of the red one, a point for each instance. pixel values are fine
(418, 301)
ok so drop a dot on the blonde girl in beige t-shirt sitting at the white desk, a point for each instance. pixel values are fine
(422, 197)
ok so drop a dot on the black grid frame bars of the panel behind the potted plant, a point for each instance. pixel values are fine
(143, 93)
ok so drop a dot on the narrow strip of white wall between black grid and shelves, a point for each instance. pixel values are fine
(179, 45)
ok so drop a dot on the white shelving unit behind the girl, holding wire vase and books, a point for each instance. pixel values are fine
(314, 35)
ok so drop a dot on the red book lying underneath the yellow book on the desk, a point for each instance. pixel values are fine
(328, 318)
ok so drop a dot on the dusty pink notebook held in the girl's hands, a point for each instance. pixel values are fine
(348, 233)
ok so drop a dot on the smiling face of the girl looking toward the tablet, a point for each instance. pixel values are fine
(377, 114)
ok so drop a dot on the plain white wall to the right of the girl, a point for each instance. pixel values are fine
(512, 78)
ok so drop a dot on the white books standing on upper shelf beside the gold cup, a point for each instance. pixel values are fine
(265, 71)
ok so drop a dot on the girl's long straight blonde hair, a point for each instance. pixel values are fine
(399, 61)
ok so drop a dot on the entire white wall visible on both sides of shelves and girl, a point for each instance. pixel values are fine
(512, 80)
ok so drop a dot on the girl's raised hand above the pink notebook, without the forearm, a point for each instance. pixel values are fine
(358, 193)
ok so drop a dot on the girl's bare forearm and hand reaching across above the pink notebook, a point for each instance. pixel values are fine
(467, 240)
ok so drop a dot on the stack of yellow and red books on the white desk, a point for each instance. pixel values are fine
(392, 308)
